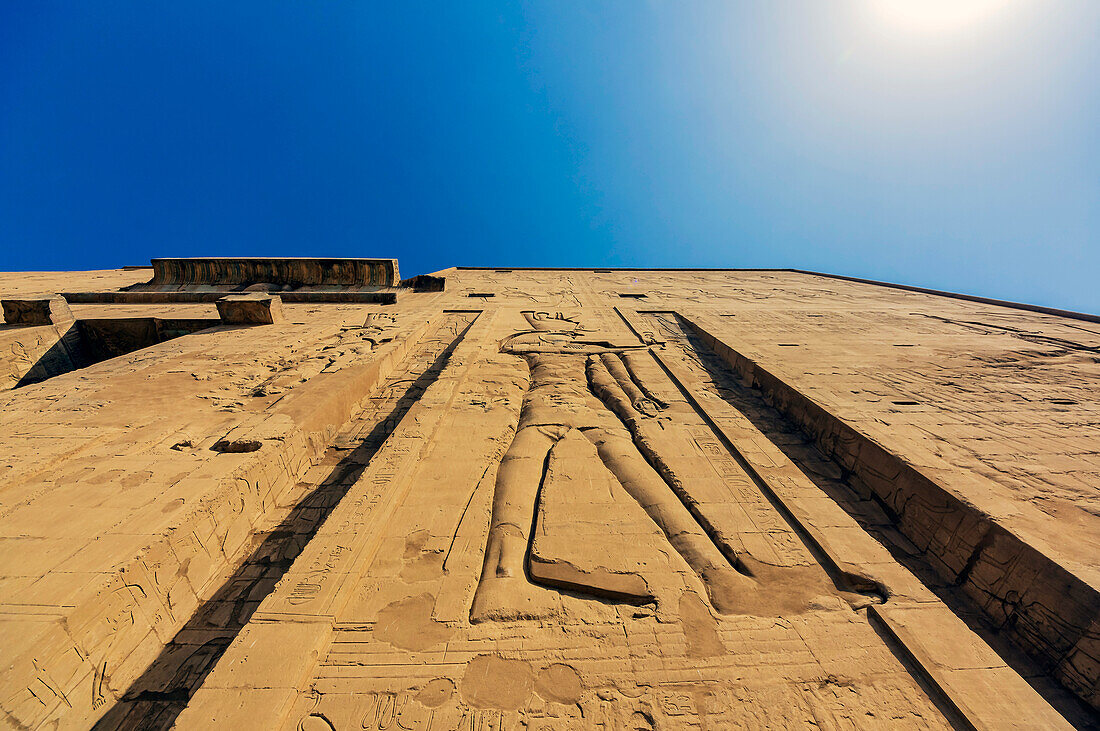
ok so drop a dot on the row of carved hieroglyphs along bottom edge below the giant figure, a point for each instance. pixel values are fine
(830, 704)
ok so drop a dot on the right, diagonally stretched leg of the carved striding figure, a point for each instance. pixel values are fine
(723, 583)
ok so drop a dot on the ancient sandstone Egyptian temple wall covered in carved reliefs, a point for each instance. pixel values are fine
(306, 494)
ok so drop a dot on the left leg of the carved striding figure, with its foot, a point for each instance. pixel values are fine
(504, 592)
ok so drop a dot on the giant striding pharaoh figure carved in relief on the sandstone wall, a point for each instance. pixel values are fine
(582, 385)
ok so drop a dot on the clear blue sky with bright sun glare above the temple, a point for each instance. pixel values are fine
(939, 148)
